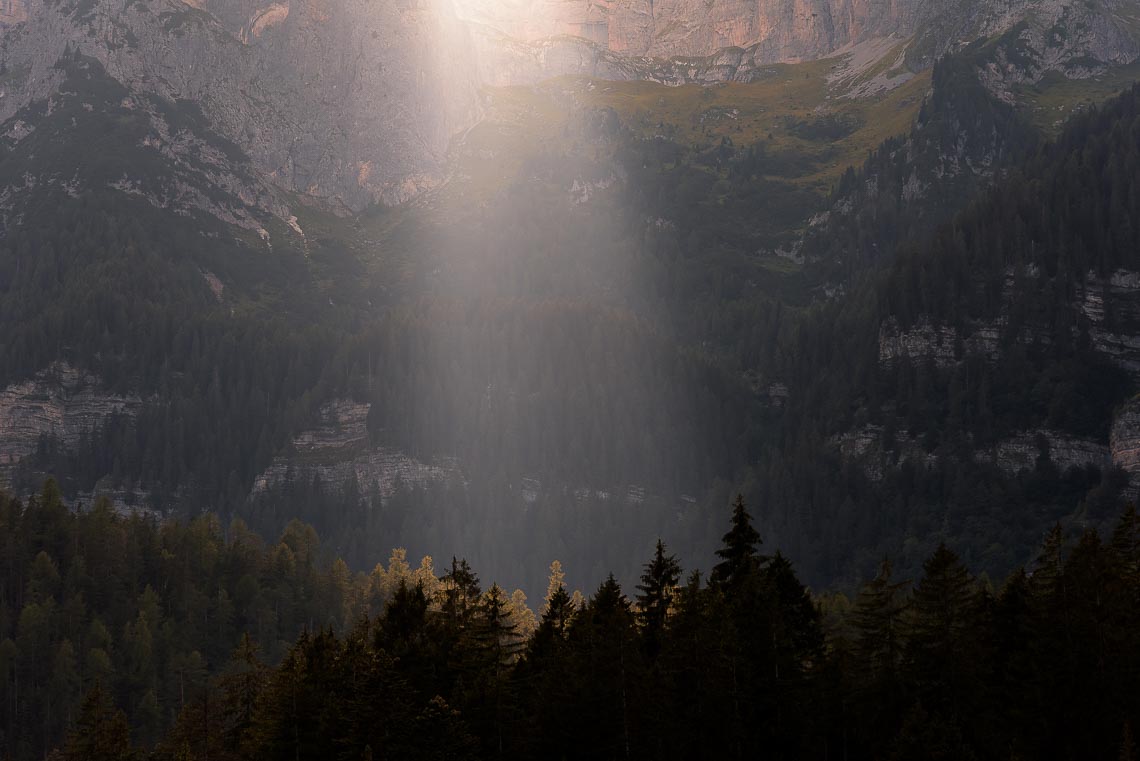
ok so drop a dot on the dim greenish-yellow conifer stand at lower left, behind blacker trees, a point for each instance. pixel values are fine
(148, 610)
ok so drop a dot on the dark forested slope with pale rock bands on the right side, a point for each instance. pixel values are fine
(981, 388)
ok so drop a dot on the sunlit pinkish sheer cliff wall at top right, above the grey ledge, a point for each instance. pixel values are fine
(785, 30)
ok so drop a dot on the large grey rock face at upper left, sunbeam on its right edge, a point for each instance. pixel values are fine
(353, 101)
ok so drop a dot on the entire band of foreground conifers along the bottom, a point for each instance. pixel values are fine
(742, 664)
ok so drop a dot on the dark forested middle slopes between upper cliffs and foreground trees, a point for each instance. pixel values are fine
(612, 365)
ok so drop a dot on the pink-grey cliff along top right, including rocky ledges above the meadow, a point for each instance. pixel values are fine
(1056, 34)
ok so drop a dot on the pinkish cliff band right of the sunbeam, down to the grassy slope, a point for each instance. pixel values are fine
(728, 40)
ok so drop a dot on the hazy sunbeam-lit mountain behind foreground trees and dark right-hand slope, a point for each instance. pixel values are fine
(374, 268)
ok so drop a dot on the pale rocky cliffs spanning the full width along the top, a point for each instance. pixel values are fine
(356, 102)
